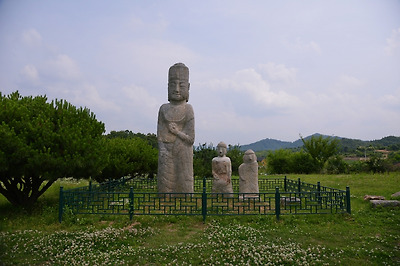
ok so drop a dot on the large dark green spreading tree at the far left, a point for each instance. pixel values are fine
(41, 142)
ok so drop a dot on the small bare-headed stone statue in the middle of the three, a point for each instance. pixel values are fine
(222, 171)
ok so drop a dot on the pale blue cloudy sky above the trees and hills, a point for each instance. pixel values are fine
(258, 69)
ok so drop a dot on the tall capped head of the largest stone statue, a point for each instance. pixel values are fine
(178, 83)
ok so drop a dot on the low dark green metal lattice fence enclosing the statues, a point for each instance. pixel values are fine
(278, 196)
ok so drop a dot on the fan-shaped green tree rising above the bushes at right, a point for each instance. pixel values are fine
(320, 149)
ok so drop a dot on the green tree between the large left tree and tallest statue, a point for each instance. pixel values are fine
(131, 156)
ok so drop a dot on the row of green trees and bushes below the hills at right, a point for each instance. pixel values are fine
(321, 154)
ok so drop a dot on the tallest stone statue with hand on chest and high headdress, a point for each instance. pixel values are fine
(175, 134)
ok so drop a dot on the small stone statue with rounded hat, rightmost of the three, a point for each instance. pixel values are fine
(248, 174)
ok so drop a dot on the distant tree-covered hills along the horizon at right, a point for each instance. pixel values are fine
(346, 144)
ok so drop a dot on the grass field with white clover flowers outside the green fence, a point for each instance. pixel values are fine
(366, 237)
